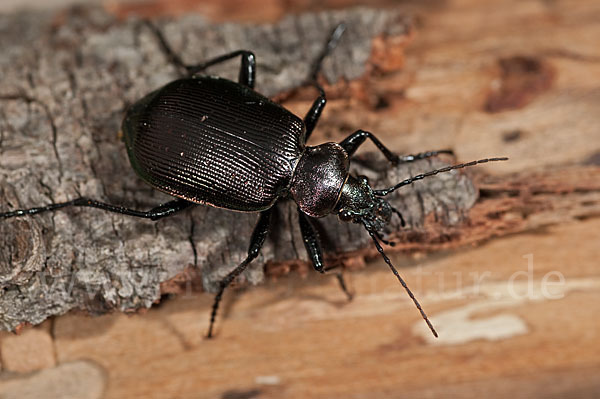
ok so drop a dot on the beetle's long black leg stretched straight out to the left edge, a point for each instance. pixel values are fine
(156, 213)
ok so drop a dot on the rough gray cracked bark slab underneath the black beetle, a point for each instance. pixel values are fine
(64, 85)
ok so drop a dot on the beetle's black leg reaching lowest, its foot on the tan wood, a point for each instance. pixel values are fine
(256, 242)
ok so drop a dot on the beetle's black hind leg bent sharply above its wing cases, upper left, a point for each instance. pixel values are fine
(247, 75)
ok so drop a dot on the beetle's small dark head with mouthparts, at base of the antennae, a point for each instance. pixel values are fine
(359, 204)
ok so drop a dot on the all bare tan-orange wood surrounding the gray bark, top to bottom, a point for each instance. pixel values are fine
(514, 293)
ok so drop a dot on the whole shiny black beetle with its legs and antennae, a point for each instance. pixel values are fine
(212, 141)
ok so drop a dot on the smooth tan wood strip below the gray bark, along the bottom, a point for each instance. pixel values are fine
(301, 339)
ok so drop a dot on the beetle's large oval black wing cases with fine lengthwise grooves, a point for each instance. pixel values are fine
(212, 141)
